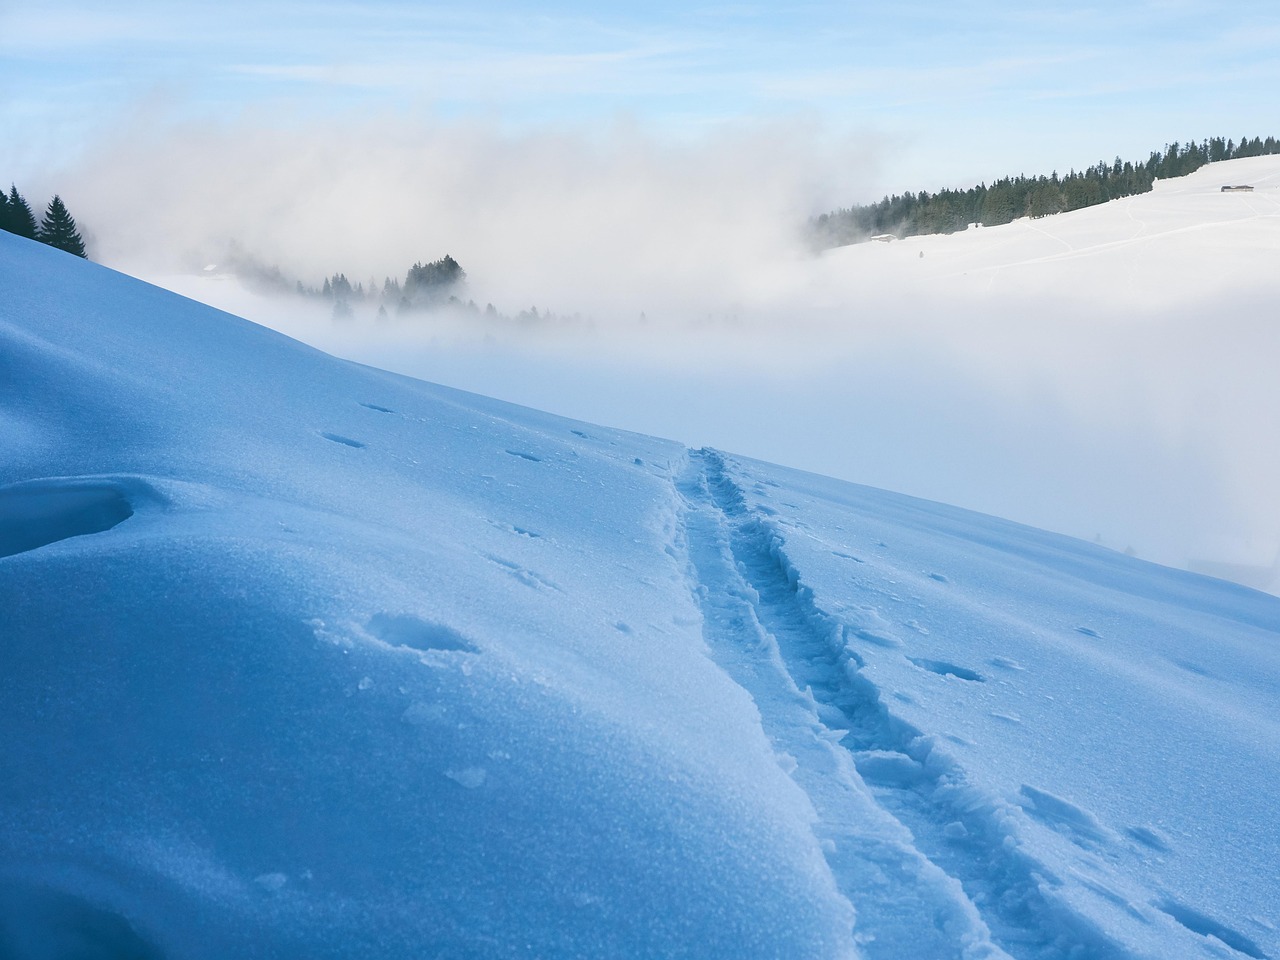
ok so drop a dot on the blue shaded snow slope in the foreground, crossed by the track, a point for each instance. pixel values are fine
(301, 659)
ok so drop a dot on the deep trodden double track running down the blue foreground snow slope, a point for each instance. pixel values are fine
(930, 862)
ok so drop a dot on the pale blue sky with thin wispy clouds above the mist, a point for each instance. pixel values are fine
(952, 93)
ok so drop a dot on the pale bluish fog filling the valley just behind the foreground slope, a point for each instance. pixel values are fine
(1149, 436)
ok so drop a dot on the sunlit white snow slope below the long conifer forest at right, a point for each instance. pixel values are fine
(1185, 240)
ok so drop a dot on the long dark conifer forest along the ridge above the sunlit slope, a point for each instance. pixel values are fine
(1012, 198)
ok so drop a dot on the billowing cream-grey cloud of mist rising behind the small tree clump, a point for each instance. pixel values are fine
(607, 225)
